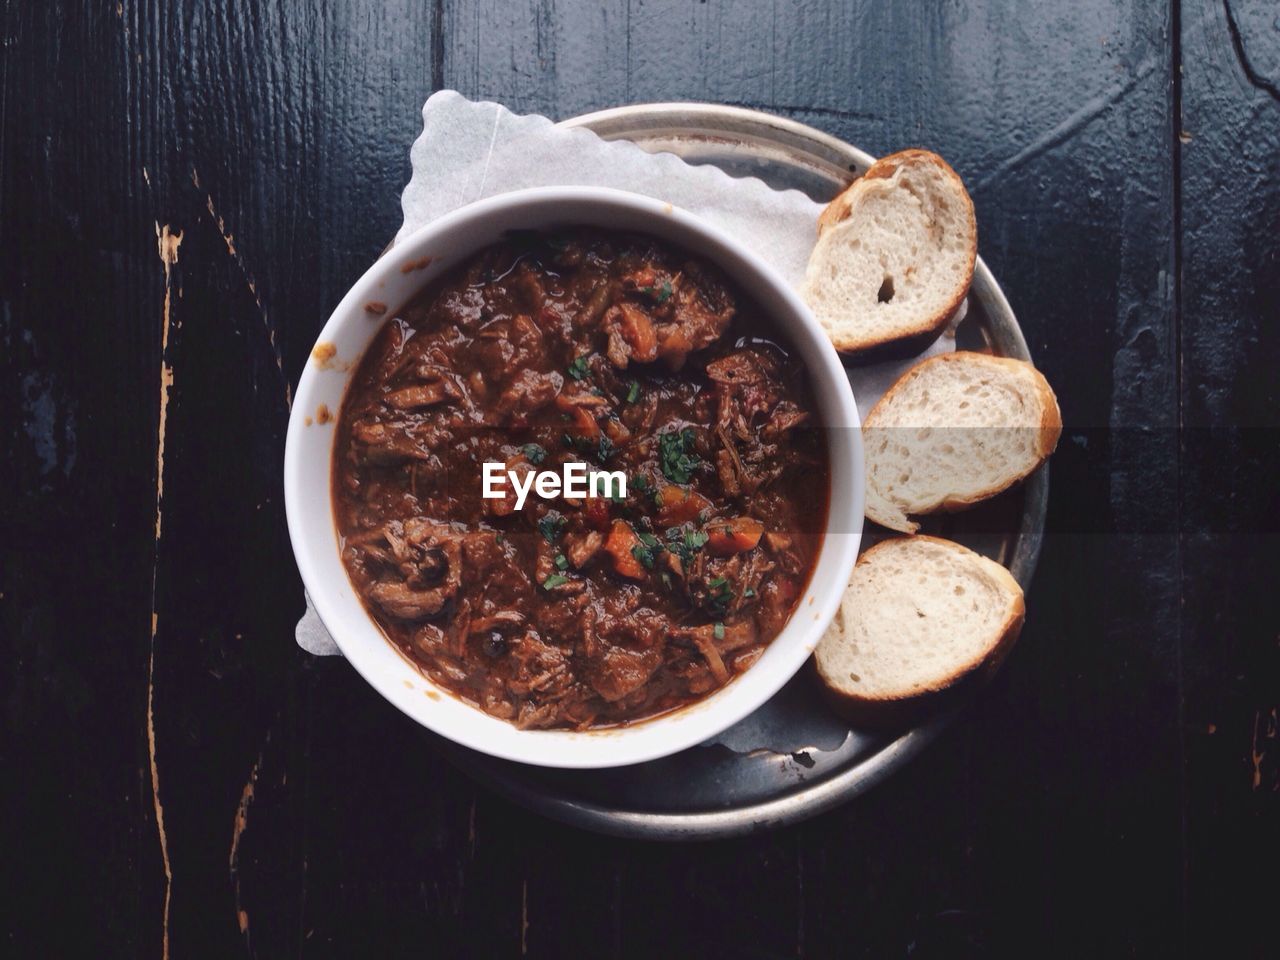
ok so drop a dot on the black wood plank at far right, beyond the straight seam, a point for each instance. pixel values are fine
(1231, 303)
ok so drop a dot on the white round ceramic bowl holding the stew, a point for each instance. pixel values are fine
(309, 451)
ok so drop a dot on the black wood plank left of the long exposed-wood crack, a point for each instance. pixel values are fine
(77, 419)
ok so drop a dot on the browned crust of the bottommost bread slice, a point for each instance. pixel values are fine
(877, 711)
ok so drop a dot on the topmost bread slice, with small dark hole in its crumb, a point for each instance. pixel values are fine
(894, 258)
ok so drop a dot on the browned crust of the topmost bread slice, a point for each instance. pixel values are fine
(931, 328)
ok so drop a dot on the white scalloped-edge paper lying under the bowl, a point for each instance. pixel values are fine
(474, 150)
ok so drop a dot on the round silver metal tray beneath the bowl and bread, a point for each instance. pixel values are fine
(793, 758)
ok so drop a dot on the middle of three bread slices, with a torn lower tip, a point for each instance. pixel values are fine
(954, 431)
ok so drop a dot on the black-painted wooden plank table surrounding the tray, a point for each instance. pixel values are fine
(186, 191)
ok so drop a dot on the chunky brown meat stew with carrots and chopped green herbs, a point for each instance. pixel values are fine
(624, 354)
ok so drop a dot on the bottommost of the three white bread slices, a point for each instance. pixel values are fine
(918, 616)
